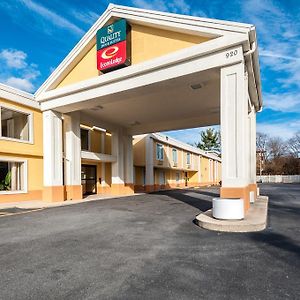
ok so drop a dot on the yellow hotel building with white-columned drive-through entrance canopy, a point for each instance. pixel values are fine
(135, 72)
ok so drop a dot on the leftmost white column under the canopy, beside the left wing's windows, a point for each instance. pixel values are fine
(52, 143)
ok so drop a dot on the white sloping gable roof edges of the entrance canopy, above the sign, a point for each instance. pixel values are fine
(175, 22)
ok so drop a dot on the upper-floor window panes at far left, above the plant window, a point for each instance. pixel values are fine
(15, 124)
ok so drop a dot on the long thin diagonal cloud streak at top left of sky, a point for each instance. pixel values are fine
(52, 17)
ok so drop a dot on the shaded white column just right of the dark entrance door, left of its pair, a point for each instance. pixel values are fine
(117, 168)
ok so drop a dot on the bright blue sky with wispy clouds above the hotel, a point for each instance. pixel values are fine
(37, 35)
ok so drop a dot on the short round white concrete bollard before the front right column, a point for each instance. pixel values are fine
(228, 209)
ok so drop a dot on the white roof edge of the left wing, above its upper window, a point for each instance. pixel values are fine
(18, 96)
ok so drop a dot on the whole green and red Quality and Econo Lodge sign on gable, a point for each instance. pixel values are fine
(113, 46)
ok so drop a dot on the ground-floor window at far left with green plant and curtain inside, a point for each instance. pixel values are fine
(12, 176)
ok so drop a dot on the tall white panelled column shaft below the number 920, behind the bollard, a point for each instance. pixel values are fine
(234, 133)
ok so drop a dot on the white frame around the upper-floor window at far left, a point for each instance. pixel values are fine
(30, 125)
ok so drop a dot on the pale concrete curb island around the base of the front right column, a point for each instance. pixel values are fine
(255, 220)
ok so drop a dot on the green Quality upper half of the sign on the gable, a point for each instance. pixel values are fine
(111, 34)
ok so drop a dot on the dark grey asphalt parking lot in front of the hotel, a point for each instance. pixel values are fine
(147, 247)
